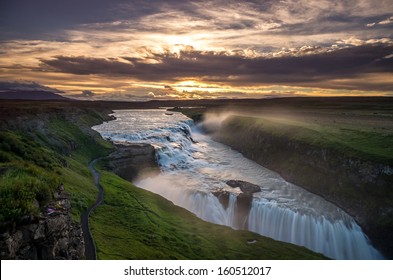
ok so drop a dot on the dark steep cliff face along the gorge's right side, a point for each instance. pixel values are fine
(361, 188)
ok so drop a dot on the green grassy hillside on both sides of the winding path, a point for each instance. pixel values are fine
(43, 147)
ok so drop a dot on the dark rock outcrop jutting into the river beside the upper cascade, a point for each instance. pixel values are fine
(131, 159)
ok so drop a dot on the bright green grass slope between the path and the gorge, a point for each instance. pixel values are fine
(137, 224)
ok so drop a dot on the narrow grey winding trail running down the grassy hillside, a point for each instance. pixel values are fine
(90, 248)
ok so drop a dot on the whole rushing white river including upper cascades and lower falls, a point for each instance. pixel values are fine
(195, 168)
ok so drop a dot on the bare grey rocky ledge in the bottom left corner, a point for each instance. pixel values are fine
(51, 236)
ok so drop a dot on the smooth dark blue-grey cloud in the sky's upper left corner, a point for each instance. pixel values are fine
(36, 18)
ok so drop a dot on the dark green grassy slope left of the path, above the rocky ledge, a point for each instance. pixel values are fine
(42, 154)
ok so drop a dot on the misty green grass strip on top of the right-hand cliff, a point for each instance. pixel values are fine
(352, 138)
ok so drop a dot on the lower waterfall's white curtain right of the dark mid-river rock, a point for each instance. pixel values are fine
(339, 239)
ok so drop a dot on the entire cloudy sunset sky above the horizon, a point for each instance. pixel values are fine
(141, 50)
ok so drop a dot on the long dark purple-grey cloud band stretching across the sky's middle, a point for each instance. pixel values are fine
(313, 69)
